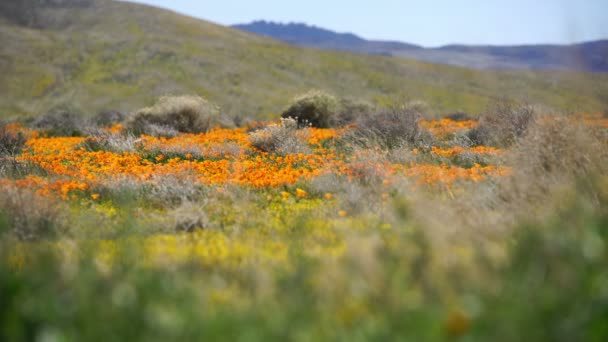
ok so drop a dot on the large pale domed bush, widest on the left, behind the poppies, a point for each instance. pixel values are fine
(172, 114)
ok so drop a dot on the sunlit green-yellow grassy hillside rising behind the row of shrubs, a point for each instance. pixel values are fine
(121, 56)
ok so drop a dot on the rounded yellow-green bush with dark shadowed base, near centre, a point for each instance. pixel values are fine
(315, 107)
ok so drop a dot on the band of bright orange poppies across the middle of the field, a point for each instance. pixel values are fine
(225, 156)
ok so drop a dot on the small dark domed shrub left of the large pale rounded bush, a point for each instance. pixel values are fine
(61, 121)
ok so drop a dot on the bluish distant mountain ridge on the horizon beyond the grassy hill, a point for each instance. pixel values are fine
(590, 56)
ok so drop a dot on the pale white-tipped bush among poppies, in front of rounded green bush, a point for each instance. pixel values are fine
(284, 138)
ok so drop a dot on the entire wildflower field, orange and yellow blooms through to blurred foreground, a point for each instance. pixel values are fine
(287, 231)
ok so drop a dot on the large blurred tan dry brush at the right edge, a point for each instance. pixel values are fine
(552, 154)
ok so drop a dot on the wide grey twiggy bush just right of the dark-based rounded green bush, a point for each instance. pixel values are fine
(392, 127)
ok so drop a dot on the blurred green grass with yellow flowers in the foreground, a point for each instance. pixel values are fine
(546, 281)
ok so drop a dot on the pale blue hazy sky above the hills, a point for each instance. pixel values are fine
(428, 23)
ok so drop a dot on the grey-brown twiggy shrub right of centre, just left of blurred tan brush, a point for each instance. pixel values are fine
(504, 122)
